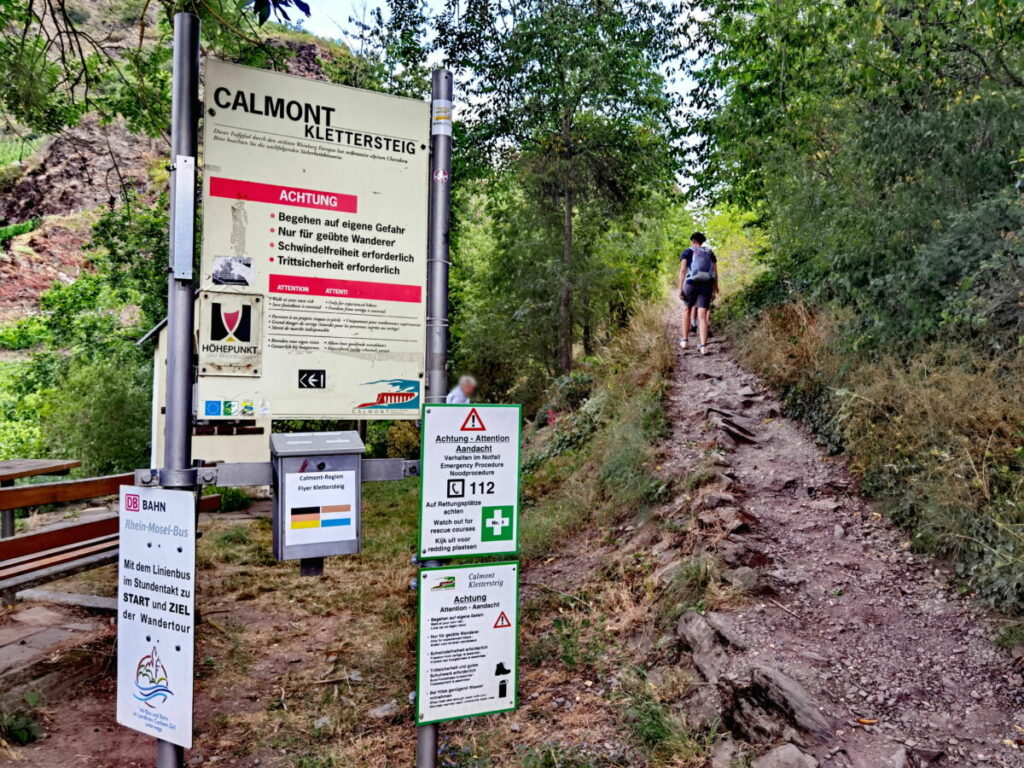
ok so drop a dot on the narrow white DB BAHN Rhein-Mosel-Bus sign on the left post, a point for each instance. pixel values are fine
(156, 613)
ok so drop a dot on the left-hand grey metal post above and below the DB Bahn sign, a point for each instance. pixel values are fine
(178, 473)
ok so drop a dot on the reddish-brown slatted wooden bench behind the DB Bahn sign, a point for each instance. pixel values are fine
(65, 549)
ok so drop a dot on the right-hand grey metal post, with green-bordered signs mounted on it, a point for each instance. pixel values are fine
(438, 298)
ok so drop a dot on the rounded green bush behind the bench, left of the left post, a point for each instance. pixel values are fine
(100, 411)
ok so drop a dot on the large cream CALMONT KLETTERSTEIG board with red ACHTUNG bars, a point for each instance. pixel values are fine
(315, 217)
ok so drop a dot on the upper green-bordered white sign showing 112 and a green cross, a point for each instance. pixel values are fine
(471, 476)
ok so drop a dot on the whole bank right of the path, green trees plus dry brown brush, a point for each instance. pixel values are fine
(879, 147)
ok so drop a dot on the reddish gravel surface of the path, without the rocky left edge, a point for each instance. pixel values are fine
(872, 631)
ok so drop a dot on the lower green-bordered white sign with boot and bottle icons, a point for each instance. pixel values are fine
(468, 649)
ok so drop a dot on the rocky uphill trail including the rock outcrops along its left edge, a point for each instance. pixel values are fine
(846, 649)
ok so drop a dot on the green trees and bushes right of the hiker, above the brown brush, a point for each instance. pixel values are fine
(887, 187)
